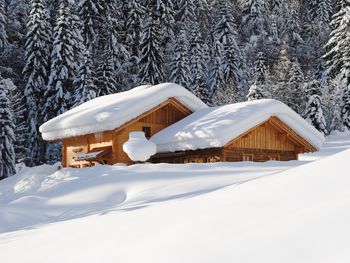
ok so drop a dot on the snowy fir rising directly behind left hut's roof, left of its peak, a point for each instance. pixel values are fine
(151, 54)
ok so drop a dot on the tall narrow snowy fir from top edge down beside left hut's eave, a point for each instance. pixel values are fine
(35, 75)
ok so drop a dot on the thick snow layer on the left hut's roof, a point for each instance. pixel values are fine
(111, 111)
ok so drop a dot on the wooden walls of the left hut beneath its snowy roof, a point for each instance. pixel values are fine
(150, 122)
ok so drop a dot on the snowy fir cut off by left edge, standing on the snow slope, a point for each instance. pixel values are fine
(7, 136)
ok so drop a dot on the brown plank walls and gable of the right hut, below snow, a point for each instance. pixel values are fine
(270, 140)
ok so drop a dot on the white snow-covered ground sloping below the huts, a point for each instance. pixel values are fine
(296, 211)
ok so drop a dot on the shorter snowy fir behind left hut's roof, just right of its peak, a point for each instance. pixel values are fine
(179, 67)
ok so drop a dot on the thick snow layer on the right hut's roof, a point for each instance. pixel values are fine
(216, 126)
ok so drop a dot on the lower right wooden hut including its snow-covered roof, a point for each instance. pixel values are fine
(259, 131)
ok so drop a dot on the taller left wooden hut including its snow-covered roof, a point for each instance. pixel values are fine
(95, 131)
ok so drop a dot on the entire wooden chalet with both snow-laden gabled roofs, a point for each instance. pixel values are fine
(183, 128)
